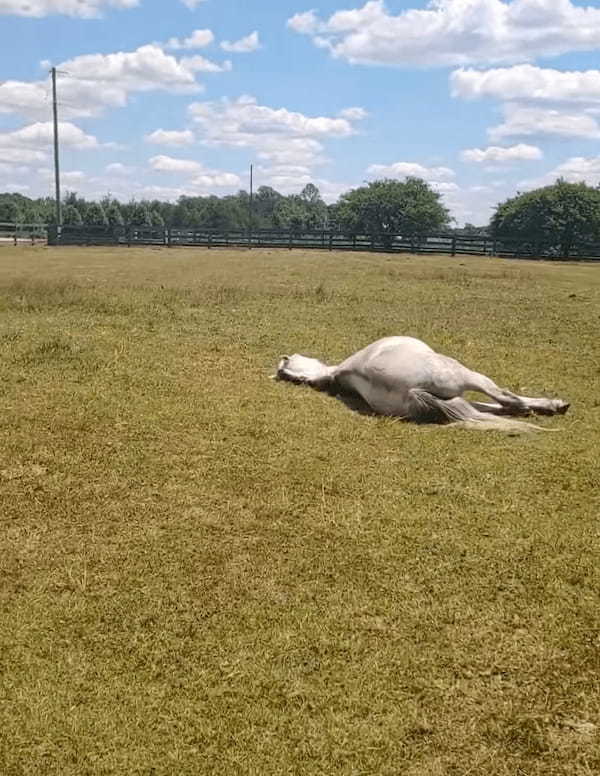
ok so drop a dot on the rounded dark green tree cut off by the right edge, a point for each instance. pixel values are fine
(554, 219)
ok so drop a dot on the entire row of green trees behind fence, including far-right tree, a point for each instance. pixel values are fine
(553, 218)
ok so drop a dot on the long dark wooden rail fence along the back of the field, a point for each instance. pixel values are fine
(452, 244)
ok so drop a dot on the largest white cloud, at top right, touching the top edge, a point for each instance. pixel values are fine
(454, 32)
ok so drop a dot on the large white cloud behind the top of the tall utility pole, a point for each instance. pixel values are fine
(97, 81)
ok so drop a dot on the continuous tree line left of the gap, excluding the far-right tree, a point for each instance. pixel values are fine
(385, 206)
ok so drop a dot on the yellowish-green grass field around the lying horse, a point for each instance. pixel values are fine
(206, 571)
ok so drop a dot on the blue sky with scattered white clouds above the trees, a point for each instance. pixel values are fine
(160, 98)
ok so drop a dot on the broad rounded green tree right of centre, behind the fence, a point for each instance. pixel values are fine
(410, 207)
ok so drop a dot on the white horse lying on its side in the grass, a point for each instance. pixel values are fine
(404, 377)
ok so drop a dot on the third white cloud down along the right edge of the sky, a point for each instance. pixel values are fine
(523, 121)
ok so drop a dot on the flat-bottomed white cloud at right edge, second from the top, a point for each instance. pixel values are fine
(527, 83)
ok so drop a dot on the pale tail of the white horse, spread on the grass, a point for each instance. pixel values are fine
(428, 408)
